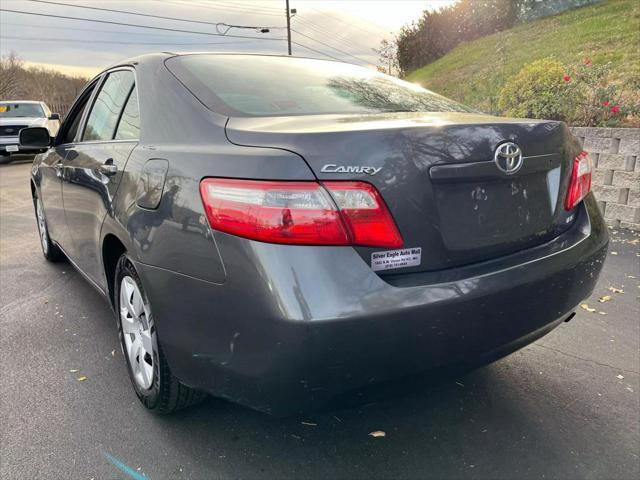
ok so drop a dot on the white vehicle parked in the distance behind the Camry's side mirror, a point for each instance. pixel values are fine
(18, 114)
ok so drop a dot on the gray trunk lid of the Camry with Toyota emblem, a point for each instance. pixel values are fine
(437, 174)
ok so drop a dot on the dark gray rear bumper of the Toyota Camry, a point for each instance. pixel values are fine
(294, 327)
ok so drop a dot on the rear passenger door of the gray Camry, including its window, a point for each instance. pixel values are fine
(94, 166)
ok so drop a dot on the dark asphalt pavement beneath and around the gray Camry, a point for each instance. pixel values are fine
(567, 406)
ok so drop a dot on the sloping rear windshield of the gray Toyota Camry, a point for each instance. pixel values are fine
(260, 86)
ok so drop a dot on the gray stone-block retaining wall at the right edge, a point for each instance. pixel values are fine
(615, 153)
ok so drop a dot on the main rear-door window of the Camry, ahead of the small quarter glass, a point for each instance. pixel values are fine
(107, 108)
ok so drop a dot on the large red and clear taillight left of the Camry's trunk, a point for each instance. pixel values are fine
(301, 213)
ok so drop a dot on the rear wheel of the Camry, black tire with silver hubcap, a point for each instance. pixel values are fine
(155, 386)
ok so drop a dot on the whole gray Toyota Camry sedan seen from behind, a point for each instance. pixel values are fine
(283, 231)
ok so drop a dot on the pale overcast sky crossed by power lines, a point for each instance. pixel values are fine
(353, 27)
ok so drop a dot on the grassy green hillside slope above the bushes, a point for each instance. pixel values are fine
(474, 72)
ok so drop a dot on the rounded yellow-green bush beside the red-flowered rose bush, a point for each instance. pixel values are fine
(539, 90)
